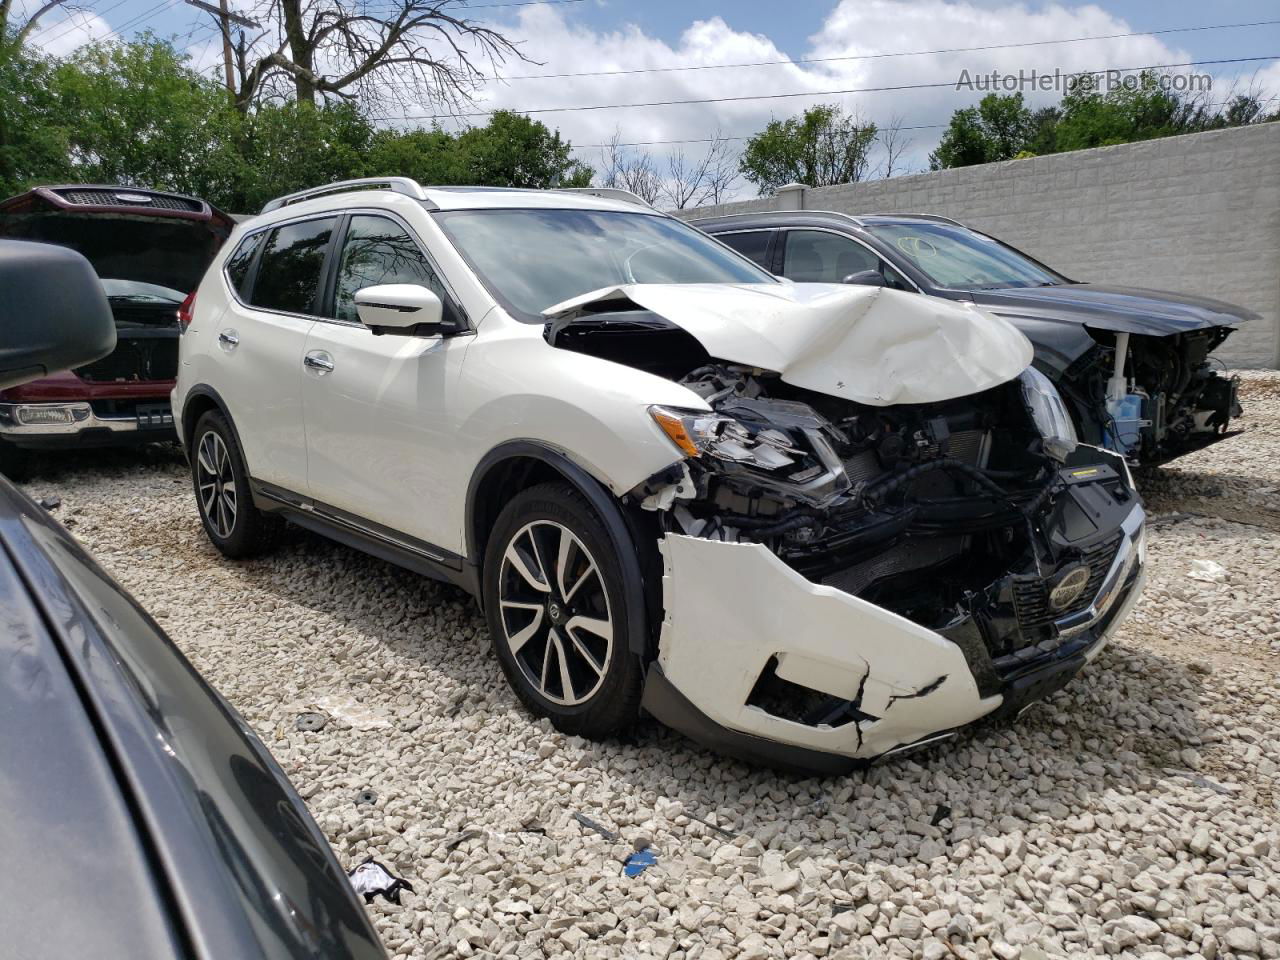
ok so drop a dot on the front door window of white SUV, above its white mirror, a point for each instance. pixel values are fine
(377, 252)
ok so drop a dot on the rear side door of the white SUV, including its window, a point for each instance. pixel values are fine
(263, 340)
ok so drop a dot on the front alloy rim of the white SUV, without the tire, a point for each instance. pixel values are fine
(555, 612)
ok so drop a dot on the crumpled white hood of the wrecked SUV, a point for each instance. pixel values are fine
(867, 345)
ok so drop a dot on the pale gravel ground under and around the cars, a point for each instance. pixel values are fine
(1136, 813)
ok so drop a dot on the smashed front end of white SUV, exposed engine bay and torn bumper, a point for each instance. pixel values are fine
(968, 554)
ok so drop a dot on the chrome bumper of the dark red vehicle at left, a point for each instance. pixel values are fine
(77, 424)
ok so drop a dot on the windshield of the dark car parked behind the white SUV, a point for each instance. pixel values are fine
(959, 259)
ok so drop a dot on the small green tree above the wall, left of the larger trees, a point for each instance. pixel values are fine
(820, 149)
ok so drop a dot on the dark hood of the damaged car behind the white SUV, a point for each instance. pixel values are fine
(1122, 309)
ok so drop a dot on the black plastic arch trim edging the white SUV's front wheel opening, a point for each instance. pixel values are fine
(606, 508)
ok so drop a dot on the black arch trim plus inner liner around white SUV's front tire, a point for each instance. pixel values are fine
(518, 465)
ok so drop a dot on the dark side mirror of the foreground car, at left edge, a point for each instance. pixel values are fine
(53, 312)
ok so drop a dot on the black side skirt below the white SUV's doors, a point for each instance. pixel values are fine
(368, 537)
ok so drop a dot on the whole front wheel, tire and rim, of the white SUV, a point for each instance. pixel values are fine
(557, 612)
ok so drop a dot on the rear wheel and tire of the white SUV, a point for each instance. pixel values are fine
(223, 497)
